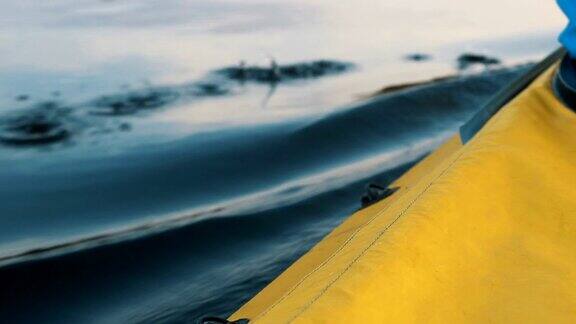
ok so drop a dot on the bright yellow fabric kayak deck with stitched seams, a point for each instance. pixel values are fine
(482, 230)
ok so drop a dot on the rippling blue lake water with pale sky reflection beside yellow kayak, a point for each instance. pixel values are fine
(141, 184)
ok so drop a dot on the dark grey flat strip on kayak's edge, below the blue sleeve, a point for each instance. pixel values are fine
(475, 124)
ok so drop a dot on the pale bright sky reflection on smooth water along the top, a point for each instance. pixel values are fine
(90, 47)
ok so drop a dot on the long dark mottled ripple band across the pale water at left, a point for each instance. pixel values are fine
(52, 121)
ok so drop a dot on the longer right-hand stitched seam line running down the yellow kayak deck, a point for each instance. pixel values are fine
(402, 213)
